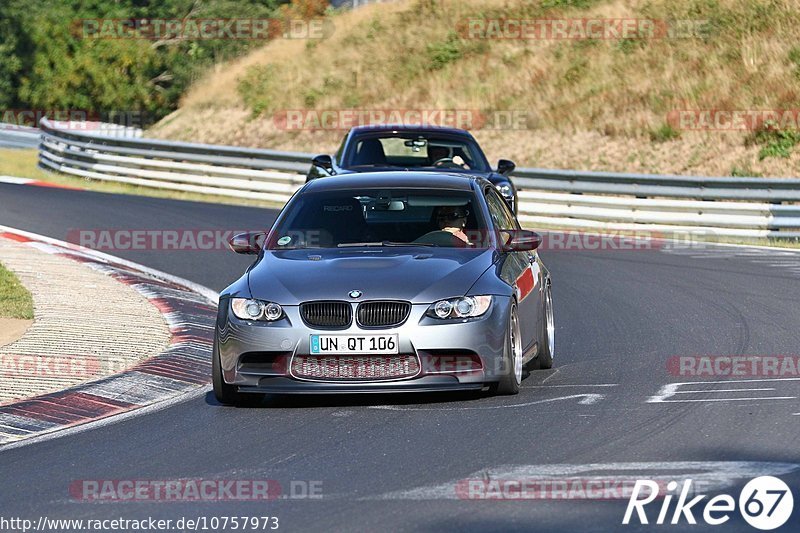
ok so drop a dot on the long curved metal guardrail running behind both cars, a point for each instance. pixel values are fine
(602, 201)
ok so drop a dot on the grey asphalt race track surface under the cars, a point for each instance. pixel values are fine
(620, 315)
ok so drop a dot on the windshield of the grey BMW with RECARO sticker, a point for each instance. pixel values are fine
(380, 218)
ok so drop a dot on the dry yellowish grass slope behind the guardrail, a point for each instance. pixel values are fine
(589, 104)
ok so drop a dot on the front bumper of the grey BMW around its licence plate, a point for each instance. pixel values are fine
(440, 348)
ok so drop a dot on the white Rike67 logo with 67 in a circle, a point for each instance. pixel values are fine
(765, 503)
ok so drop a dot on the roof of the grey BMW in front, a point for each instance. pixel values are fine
(400, 179)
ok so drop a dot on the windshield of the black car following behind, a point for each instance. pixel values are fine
(417, 150)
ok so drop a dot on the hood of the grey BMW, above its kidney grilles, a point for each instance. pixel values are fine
(418, 275)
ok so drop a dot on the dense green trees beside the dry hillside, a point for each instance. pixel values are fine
(47, 61)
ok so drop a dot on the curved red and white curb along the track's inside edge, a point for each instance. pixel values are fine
(183, 368)
